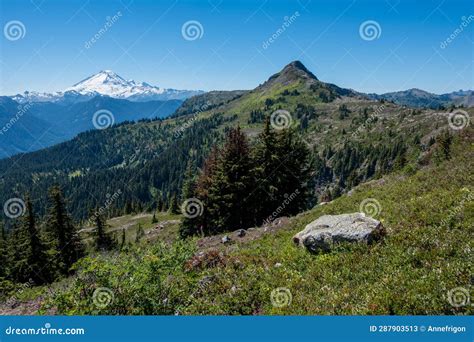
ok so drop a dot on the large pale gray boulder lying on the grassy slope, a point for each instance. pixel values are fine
(321, 234)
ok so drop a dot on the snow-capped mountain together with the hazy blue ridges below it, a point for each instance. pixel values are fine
(51, 118)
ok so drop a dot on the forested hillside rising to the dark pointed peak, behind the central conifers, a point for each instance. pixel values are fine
(350, 137)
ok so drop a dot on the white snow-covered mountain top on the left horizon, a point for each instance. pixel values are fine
(108, 83)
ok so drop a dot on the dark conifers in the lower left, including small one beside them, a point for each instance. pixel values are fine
(38, 252)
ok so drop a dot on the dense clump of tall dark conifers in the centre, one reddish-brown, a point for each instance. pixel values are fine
(243, 185)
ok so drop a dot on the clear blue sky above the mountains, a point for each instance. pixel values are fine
(146, 43)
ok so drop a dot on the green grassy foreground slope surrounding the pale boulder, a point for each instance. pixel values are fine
(427, 252)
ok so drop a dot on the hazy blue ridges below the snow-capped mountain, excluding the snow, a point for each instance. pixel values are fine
(30, 126)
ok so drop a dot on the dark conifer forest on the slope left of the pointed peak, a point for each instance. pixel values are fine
(146, 157)
